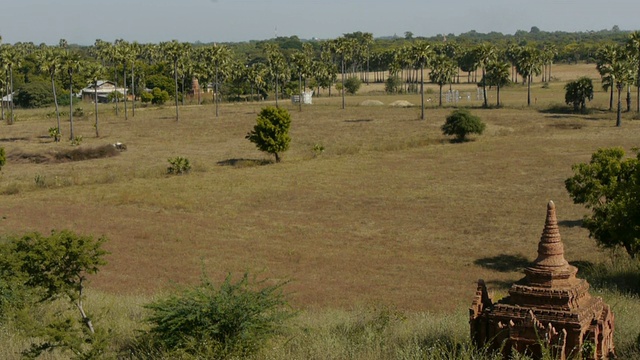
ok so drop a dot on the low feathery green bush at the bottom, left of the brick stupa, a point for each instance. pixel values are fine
(234, 319)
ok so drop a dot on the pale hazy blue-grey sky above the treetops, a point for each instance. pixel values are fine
(84, 21)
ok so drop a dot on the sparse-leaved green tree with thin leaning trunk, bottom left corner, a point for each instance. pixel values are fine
(38, 271)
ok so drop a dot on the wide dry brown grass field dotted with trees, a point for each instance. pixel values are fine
(390, 213)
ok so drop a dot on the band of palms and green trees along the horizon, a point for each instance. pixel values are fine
(288, 65)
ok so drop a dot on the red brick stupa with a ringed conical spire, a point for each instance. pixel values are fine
(547, 309)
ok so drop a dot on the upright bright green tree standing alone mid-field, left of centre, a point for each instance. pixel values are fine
(271, 132)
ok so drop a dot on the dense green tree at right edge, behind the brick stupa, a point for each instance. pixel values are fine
(609, 185)
